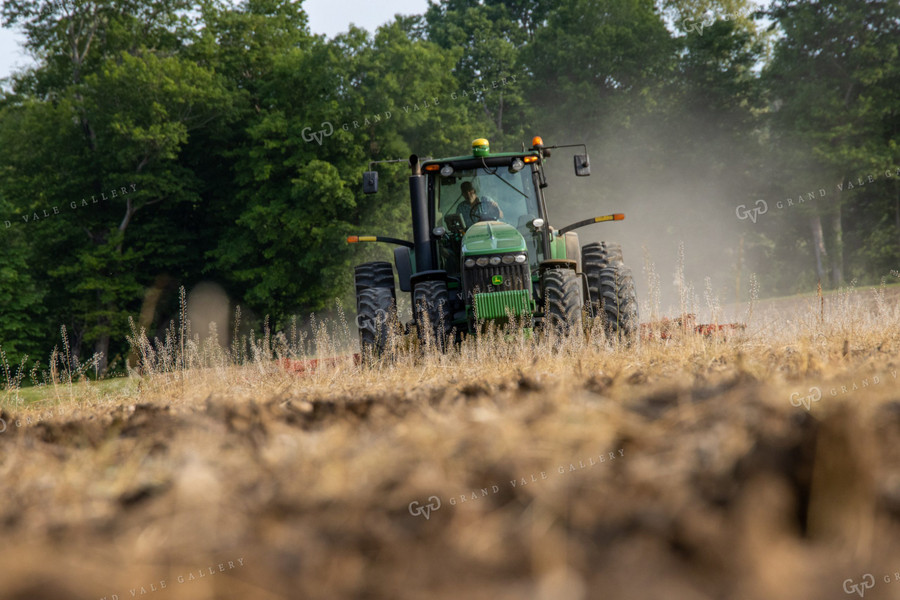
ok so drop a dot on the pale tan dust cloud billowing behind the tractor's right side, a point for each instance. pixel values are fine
(690, 202)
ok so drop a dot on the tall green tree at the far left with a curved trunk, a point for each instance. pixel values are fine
(123, 105)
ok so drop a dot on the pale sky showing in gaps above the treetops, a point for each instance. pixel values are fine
(325, 16)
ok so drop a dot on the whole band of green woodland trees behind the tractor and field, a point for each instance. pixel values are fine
(234, 138)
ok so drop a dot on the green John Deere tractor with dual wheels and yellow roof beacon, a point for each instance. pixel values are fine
(483, 250)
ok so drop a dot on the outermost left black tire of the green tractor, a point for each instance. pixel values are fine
(375, 306)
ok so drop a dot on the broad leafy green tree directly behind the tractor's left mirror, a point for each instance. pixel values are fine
(299, 197)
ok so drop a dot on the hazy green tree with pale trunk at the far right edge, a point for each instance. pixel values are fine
(830, 81)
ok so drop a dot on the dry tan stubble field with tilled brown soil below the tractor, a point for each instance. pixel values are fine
(720, 487)
